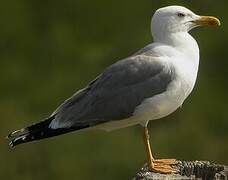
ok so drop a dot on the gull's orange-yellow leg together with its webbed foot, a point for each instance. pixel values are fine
(159, 165)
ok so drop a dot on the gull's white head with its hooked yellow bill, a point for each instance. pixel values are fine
(174, 19)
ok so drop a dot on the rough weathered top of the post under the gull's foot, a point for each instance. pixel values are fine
(191, 170)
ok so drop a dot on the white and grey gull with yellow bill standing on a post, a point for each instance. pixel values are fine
(146, 86)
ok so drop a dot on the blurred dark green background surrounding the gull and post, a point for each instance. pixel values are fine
(49, 49)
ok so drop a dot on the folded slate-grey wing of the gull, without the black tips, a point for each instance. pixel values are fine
(116, 93)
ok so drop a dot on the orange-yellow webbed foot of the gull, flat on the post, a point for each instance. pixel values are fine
(163, 166)
